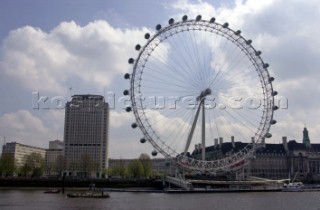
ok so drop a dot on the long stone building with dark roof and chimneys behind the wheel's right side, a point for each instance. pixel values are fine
(273, 161)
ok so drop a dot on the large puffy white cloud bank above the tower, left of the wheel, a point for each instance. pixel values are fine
(92, 55)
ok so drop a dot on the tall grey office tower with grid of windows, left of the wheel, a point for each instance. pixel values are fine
(86, 135)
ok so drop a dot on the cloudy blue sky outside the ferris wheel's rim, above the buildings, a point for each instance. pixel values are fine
(61, 48)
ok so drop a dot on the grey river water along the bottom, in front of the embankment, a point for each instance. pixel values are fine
(35, 199)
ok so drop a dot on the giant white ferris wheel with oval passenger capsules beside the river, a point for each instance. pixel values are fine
(198, 82)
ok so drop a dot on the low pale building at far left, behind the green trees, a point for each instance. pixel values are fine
(21, 151)
